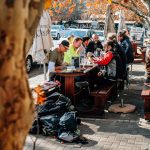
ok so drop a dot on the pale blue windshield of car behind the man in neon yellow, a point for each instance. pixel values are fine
(78, 33)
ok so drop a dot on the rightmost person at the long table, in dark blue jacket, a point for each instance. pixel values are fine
(126, 45)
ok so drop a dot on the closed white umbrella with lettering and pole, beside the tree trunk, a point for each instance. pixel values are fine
(43, 40)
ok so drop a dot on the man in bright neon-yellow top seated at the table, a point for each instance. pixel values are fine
(73, 51)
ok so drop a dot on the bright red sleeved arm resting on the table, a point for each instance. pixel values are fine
(104, 60)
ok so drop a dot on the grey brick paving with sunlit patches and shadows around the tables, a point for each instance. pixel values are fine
(111, 131)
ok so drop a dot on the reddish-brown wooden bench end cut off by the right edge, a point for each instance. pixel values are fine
(146, 96)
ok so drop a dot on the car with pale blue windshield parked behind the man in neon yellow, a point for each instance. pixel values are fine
(78, 33)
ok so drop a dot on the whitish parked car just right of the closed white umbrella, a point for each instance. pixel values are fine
(57, 31)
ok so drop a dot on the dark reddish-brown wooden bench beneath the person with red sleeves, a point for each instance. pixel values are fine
(101, 95)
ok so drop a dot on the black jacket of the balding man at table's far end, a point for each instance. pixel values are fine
(93, 46)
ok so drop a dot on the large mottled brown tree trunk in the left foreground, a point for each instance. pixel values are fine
(16, 105)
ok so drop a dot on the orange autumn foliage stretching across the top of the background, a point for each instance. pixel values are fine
(66, 9)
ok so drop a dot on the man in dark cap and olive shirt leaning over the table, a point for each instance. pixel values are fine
(56, 57)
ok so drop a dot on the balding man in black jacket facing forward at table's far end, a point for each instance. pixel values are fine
(94, 45)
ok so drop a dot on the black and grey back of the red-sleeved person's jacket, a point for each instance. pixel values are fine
(118, 73)
